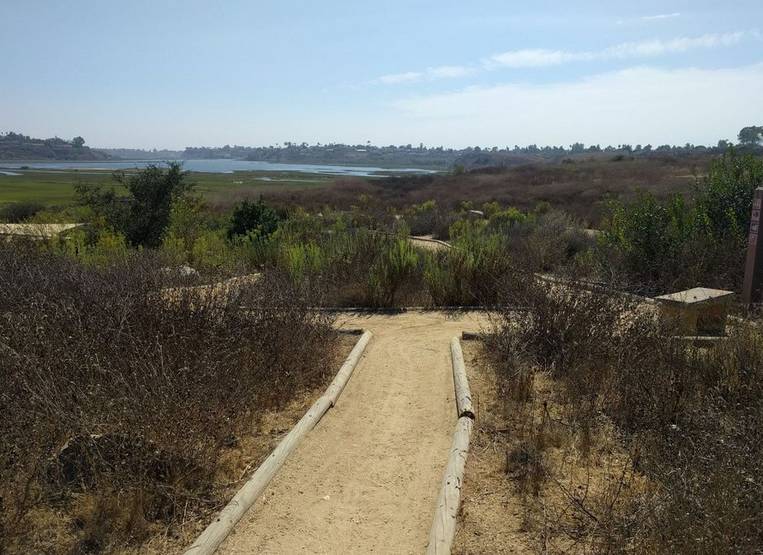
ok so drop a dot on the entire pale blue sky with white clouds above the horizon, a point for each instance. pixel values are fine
(173, 74)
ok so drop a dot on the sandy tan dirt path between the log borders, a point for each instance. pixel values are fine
(366, 478)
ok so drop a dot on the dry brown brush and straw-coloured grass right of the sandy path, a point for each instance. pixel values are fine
(625, 438)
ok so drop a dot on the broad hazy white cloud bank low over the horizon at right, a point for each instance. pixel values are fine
(641, 104)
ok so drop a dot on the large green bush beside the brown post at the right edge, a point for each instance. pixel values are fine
(680, 243)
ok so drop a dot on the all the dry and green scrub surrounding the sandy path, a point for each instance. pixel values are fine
(126, 387)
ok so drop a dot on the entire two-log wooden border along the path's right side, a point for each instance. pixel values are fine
(443, 529)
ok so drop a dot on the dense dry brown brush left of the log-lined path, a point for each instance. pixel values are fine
(118, 405)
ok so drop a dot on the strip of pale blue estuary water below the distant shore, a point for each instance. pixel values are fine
(214, 166)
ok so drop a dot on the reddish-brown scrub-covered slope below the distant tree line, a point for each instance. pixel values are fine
(580, 189)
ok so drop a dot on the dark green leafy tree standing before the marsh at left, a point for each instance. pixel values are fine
(143, 215)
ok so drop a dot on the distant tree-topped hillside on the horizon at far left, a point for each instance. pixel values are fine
(15, 146)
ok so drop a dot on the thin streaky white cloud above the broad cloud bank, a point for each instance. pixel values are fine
(641, 49)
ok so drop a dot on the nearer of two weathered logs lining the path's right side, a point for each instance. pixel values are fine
(443, 529)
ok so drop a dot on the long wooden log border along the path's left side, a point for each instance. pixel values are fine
(216, 533)
